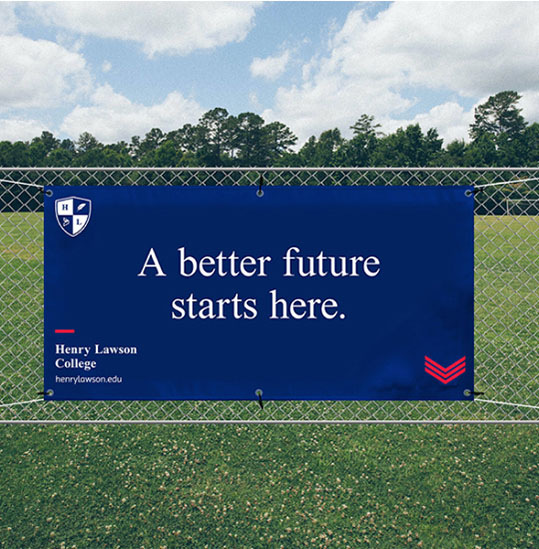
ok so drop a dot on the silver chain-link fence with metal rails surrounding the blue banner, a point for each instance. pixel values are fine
(506, 298)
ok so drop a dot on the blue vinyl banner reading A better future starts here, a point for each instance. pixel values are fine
(213, 293)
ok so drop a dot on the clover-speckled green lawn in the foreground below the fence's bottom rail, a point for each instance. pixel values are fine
(269, 486)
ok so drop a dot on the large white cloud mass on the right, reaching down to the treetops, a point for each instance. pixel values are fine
(465, 49)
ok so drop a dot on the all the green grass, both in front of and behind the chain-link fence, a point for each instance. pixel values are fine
(272, 486)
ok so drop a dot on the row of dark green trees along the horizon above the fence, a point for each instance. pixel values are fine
(499, 136)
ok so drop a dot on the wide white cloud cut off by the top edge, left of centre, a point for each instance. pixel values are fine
(160, 27)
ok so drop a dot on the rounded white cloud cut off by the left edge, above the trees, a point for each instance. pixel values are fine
(39, 73)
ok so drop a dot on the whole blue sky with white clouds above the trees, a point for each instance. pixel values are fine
(118, 69)
